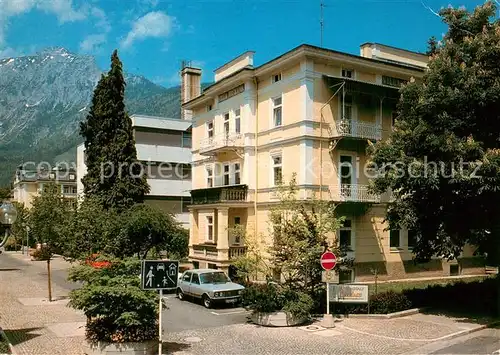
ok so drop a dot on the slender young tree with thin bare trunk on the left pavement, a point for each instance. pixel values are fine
(47, 219)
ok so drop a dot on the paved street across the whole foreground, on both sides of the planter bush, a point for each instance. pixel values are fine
(38, 328)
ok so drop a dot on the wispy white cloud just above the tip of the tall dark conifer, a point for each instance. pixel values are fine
(154, 24)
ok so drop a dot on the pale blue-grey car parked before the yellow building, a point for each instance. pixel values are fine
(209, 285)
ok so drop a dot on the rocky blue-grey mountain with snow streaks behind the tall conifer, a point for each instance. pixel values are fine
(43, 97)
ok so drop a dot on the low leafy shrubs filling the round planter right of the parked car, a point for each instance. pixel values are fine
(272, 297)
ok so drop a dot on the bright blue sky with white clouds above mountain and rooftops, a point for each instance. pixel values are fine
(153, 36)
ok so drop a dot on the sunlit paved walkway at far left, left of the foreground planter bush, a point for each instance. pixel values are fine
(32, 324)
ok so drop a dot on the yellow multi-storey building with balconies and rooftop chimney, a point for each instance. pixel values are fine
(310, 112)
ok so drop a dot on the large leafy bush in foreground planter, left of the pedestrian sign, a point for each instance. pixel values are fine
(117, 309)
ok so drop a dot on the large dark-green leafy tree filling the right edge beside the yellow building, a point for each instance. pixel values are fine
(442, 162)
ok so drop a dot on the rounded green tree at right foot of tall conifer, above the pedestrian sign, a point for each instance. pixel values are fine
(146, 229)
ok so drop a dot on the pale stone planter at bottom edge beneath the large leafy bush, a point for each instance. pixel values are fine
(103, 348)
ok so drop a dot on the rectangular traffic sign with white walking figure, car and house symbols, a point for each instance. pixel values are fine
(159, 274)
